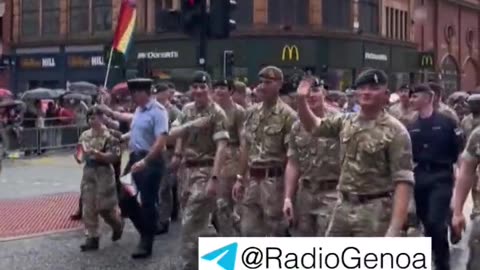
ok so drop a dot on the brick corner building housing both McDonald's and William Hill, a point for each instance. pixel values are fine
(57, 41)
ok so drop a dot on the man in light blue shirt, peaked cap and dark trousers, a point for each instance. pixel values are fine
(148, 137)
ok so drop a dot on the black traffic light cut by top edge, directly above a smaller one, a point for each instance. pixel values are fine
(221, 22)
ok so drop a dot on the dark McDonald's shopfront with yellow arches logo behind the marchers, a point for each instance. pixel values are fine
(335, 60)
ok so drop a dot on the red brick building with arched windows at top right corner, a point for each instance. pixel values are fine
(448, 32)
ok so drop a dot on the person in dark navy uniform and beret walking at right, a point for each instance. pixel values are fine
(436, 143)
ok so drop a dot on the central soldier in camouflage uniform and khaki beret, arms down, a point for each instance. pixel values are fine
(264, 144)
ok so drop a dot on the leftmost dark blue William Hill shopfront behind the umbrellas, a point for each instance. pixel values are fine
(32, 70)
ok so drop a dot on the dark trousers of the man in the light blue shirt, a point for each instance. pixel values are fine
(148, 184)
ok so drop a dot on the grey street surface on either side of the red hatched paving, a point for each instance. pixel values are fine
(59, 173)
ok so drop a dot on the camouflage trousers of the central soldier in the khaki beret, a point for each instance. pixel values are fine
(261, 208)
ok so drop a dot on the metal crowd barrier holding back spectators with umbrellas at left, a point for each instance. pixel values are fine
(39, 140)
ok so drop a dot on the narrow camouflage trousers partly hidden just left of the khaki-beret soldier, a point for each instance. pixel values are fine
(224, 214)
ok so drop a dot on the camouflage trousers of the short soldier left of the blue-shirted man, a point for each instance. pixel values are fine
(99, 198)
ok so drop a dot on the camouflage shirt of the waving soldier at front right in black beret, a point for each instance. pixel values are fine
(374, 153)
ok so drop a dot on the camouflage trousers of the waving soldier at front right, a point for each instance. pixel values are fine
(360, 218)
